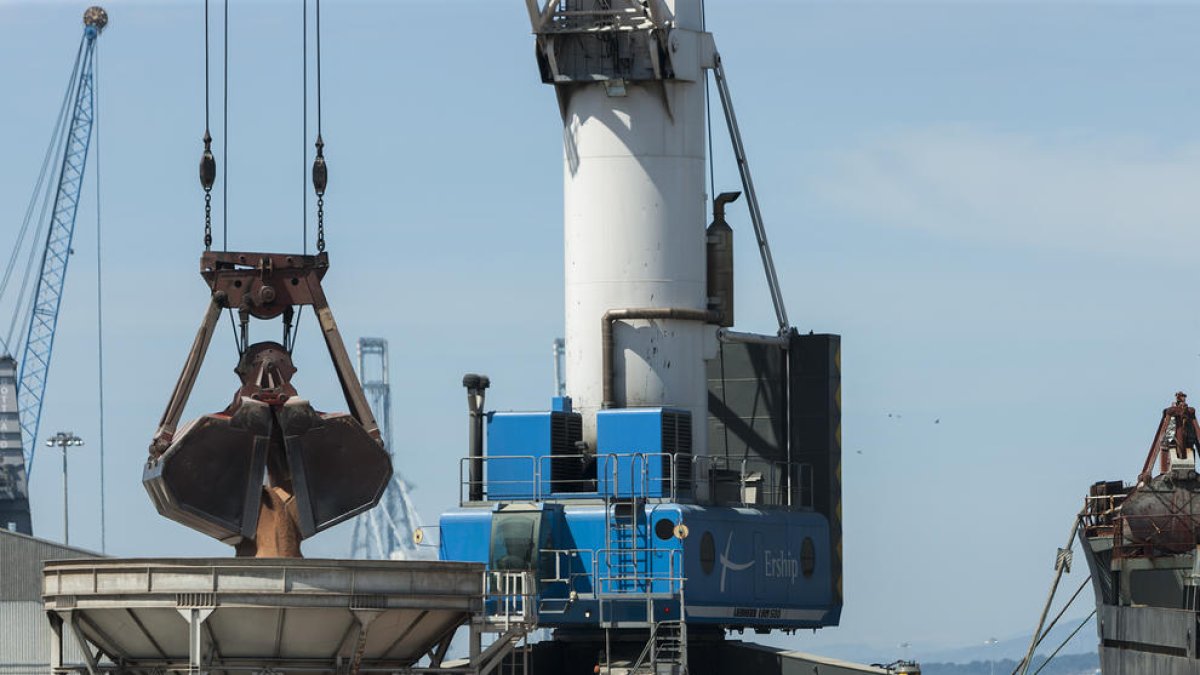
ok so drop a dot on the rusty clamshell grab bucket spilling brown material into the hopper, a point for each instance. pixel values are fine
(269, 470)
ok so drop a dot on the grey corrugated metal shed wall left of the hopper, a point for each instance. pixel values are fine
(25, 631)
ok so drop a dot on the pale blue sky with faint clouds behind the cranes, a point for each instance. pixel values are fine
(994, 204)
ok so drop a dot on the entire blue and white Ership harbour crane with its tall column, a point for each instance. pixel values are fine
(691, 480)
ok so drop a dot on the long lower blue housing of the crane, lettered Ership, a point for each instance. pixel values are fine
(737, 568)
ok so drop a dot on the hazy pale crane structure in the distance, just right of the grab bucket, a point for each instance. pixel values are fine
(389, 530)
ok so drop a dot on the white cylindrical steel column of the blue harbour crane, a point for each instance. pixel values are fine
(634, 228)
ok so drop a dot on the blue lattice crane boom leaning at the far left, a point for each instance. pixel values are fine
(43, 273)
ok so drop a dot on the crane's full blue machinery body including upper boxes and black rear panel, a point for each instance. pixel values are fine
(644, 528)
